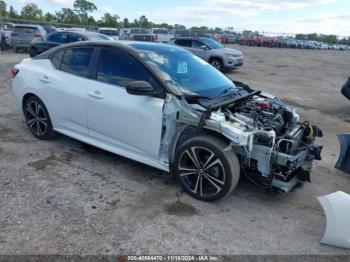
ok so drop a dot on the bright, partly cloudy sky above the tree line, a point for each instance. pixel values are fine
(289, 16)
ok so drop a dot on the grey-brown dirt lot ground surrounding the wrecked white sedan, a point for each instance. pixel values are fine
(64, 197)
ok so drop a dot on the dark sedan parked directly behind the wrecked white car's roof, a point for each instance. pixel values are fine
(49, 41)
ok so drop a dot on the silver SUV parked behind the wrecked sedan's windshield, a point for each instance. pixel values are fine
(211, 51)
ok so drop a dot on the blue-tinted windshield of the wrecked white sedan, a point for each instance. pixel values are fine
(184, 71)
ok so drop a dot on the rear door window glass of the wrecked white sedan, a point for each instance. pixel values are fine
(76, 61)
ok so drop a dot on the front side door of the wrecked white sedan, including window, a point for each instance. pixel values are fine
(115, 117)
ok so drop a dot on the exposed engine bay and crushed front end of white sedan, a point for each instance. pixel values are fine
(275, 148)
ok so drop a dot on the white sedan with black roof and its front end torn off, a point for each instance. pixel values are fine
(167, 108)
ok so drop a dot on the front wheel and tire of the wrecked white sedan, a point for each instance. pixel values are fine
(205, 170)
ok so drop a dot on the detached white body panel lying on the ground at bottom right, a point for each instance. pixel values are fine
(336, 207)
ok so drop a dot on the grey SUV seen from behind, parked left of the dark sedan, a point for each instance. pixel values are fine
(23, 35)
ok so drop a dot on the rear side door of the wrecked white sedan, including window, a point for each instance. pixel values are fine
(65, 88)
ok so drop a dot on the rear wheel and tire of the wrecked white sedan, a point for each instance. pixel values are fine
(37, 118)
